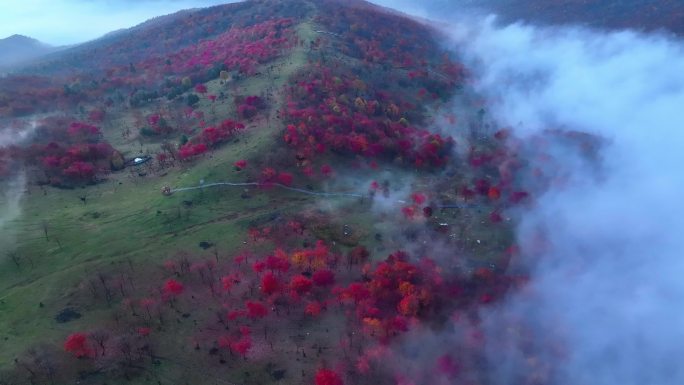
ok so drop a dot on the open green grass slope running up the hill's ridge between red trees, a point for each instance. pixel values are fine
(127, 220)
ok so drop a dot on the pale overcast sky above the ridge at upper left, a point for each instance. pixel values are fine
(60, 22)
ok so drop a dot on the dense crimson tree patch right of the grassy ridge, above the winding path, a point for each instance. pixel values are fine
(324, 115)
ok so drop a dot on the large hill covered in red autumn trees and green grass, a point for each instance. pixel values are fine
(251, 194)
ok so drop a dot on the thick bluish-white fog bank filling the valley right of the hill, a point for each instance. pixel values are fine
(604, 304)
